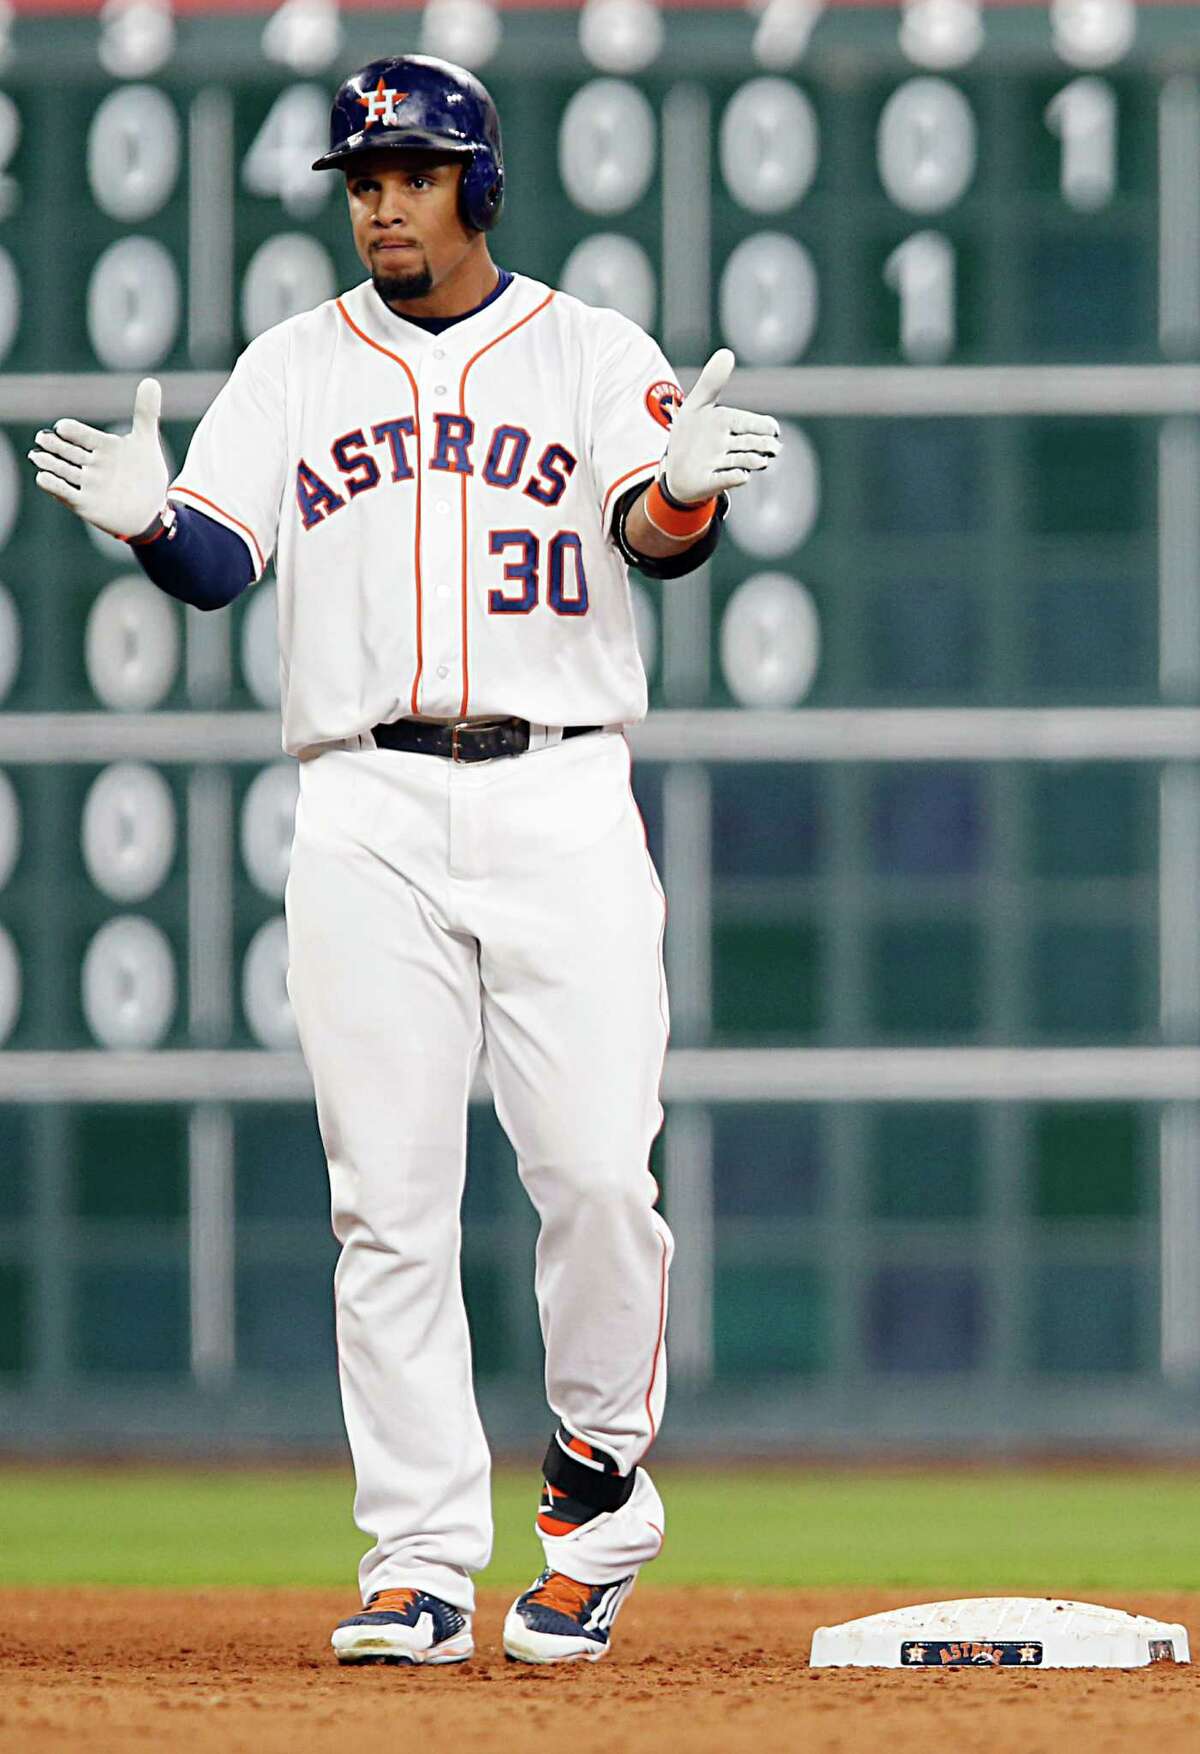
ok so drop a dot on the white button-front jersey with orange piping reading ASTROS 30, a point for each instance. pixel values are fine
(441, 508)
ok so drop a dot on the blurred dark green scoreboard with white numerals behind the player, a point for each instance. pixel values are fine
(957, 250)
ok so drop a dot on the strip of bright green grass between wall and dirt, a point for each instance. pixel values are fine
(973, 1534)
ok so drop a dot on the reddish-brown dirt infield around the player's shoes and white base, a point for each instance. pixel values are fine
(706, 1671)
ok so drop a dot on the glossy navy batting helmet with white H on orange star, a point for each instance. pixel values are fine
(431, 106)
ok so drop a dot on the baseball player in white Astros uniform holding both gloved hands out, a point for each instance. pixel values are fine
(454, 467)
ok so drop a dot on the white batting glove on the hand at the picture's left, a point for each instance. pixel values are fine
(118, 485)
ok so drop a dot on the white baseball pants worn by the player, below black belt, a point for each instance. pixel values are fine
(436, 908)
